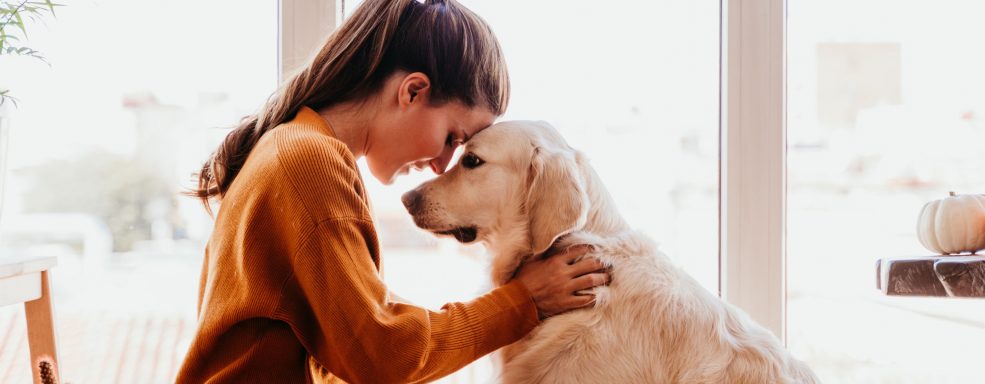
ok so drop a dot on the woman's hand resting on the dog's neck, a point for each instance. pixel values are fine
(554, 280)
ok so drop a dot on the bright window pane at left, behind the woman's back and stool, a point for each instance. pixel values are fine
(139, 92)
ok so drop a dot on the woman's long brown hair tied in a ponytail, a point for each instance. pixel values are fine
(440, 38)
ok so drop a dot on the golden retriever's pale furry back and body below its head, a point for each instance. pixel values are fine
(653, 324)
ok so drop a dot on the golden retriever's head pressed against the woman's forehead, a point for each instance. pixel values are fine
(516, 181)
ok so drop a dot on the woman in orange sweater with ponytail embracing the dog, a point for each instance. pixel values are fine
(290, 288)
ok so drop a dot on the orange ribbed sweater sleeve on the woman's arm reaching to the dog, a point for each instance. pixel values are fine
(347, 324)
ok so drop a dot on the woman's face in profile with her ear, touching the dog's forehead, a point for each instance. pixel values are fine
(419, 135)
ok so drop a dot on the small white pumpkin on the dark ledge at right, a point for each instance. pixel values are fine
(953, 225)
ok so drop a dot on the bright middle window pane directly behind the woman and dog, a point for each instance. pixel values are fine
(634, 85)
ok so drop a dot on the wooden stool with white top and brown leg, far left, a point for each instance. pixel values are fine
(25, 280)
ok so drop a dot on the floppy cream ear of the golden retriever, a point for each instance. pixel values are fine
(557, 202)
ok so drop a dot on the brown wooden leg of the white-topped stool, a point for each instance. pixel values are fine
(41, 336)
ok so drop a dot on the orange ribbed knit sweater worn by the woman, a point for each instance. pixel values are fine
(290, 289)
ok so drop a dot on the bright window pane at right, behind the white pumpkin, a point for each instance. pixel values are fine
(886, 104)
